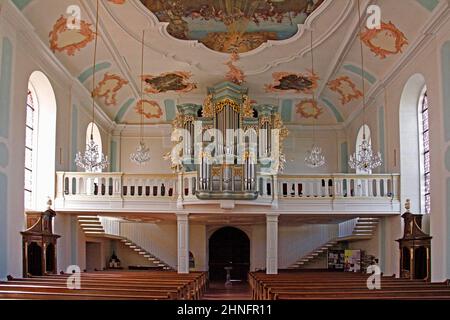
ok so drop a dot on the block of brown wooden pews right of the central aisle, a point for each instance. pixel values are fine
(336, 286)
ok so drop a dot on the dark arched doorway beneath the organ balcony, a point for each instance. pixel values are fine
(229, 247)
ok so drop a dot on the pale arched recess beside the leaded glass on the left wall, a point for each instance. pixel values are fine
(44, 153)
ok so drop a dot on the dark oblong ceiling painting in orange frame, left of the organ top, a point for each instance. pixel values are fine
(170, 81)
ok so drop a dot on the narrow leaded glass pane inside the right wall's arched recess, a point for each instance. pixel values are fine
(424, 147)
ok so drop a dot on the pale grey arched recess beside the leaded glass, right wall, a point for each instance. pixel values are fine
(410, 166)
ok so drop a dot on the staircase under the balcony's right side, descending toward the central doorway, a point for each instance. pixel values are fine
(364, 229)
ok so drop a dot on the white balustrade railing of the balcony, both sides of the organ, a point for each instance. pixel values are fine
(73, 187)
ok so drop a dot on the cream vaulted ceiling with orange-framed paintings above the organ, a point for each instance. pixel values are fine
(186, 51)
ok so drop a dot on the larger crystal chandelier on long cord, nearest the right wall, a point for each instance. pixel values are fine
(364, 158)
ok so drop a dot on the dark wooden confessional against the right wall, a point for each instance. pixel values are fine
(415, 248)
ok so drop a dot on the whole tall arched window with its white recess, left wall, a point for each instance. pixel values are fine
(40, 142)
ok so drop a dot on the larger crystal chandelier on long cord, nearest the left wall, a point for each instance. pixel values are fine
(92, 160)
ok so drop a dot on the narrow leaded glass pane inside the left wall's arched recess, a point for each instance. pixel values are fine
(30, 147)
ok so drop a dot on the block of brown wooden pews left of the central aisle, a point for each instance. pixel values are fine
(108, 285)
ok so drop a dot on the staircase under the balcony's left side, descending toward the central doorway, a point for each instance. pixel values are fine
(92, 227)
